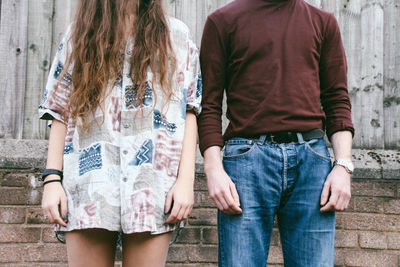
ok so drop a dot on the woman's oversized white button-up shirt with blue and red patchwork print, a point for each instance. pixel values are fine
(117, 175)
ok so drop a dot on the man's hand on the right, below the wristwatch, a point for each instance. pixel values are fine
(337, 189)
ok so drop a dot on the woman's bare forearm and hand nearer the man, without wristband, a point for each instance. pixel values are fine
(181, 194)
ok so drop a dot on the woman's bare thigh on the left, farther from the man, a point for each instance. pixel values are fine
(91, 247)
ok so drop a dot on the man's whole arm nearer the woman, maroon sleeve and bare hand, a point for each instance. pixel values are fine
(213, 67)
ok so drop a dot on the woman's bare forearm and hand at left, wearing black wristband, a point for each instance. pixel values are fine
(53, 193)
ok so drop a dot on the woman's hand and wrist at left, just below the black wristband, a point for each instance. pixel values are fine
(54, 202)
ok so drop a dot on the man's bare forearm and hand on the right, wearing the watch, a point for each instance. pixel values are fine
(337, 188)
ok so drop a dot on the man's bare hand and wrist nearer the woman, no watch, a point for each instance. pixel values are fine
(220, 186)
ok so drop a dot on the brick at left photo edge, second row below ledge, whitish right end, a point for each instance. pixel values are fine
(19, 196)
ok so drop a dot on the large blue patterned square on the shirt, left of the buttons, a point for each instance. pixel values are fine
(90, 159)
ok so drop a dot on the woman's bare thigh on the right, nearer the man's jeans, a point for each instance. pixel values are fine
(144, 249)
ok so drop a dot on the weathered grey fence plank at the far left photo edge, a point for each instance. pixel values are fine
(13, 49)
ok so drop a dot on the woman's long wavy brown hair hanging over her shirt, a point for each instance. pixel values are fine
(99, 37)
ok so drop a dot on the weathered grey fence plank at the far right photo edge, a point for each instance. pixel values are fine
(391, 78)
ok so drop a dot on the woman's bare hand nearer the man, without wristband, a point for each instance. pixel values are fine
(180, 199)
